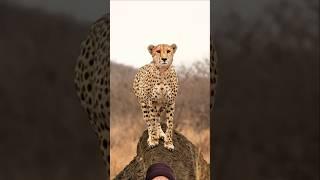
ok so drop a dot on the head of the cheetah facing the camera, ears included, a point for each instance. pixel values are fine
(162, 54)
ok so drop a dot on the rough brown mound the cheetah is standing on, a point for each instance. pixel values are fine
(186, 160)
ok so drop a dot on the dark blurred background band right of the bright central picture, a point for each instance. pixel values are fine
(266, 120)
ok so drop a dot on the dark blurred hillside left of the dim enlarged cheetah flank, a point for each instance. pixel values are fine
(44, 133)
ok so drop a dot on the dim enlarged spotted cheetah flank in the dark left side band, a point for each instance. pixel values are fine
(92, 82)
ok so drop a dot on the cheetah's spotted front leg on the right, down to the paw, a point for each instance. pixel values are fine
(168, 143)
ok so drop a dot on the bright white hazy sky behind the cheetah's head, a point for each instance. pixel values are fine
(136, 24)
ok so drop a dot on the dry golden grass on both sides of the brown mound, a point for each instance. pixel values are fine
(125, 136)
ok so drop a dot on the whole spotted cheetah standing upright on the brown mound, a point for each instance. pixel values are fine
(156, 87)
